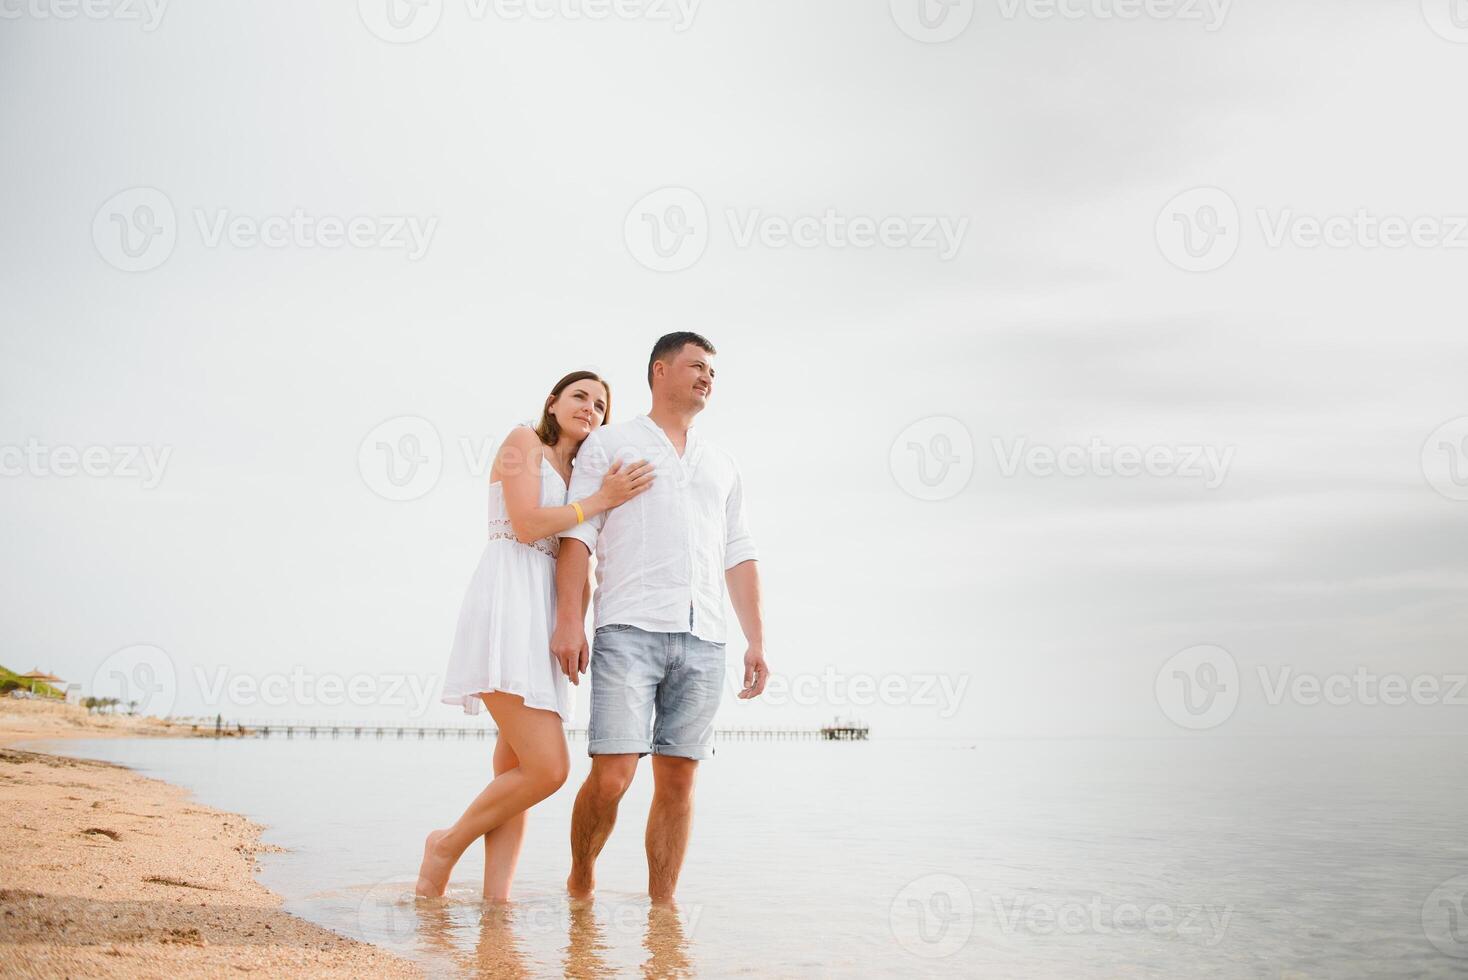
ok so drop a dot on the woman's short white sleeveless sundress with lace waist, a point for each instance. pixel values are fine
(503, 642)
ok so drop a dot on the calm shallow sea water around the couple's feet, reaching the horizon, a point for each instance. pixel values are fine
(1018, 859)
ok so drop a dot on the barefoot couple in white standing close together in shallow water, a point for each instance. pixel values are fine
(664, 514)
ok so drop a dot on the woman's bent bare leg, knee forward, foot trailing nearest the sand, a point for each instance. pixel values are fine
(539, 743)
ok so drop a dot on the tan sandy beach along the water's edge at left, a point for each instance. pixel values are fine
(109, 874)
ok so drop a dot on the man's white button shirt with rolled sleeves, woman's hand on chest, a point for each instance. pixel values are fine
(666, 551)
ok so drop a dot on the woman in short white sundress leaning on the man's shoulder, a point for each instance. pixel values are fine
(503, 648)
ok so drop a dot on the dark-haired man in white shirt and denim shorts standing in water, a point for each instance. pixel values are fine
(663, 563)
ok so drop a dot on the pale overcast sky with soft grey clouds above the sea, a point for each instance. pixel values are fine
(1002, 269)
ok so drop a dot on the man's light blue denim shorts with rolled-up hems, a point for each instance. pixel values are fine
(654, 693)
